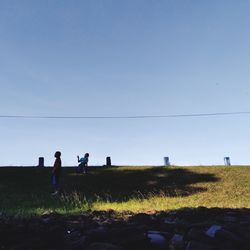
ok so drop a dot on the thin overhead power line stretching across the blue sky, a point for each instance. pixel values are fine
(127, 117)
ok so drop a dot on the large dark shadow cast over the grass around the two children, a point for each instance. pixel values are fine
(26, 190)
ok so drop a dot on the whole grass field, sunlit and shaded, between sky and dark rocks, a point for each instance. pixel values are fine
(26, 191)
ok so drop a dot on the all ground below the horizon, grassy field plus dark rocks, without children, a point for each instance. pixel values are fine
(159, 196)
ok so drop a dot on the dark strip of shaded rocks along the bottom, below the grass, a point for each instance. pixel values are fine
(187, 229)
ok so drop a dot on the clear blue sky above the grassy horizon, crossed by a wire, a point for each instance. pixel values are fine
(115, 58)
